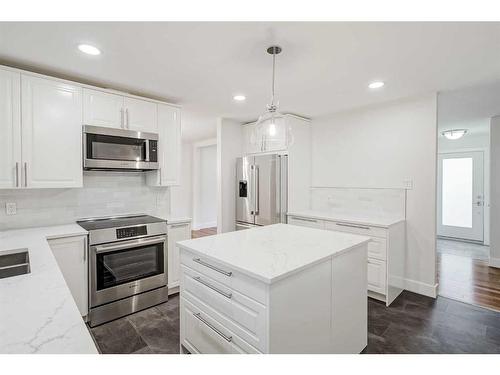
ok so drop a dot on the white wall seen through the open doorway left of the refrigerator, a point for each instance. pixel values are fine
(205, 184)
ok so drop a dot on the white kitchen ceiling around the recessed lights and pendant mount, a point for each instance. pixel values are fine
(324, 67)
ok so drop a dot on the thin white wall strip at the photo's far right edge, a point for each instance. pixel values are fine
(495, 192)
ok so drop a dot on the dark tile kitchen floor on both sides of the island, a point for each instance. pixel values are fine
(412, 324)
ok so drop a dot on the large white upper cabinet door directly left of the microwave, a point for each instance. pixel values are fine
(51, 133)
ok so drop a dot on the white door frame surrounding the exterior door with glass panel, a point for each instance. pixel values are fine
(485, 183)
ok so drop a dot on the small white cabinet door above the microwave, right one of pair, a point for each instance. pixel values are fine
(140, 115)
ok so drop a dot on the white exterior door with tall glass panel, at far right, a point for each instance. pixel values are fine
(461, 195)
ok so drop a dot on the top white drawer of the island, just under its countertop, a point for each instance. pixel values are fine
(235, 280)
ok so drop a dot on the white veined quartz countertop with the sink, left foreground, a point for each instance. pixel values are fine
(37, 312)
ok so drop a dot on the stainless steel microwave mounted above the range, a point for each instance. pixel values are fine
(119, 149)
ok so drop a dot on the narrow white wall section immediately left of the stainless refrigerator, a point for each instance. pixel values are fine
(229, 140)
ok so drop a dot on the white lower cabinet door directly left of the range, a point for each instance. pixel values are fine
(71, 256)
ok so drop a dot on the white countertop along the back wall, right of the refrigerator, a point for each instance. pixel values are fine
(371, 219)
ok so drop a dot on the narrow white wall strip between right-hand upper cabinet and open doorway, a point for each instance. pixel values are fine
(181, 204)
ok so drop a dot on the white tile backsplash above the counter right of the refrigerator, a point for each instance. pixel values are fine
(387, 202)
